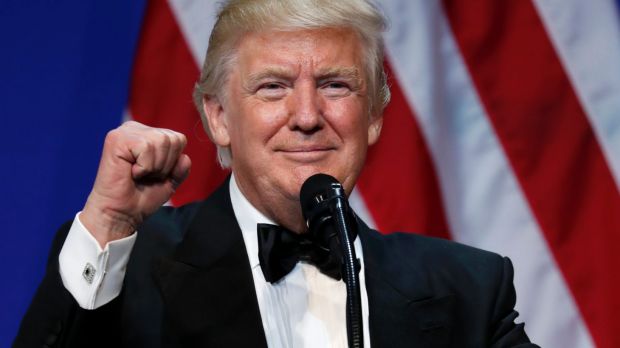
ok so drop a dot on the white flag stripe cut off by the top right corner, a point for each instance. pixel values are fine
(586, 35)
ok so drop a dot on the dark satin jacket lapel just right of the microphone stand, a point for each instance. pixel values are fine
(404, 309)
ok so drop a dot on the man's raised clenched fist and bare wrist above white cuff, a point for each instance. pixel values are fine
(140, 169)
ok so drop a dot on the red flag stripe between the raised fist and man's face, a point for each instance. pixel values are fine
(161, 95)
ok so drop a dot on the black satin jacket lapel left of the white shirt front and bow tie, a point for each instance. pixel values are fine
(207, 286)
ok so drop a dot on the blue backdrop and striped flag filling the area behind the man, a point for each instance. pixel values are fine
(503, 133)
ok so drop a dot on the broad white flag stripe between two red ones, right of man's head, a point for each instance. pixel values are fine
(485, 205)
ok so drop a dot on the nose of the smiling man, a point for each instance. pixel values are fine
(305, 109)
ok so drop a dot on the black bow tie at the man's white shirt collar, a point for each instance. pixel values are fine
(279, 250)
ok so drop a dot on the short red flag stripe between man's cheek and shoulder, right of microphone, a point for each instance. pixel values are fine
(398, 183)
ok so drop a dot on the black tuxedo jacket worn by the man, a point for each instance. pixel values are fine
(189, 284)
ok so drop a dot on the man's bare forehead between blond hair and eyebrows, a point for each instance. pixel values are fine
(318, 49)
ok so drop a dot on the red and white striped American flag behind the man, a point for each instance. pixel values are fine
(503, 133)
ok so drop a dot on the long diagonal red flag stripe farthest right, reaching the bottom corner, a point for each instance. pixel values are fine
(551, 147)
